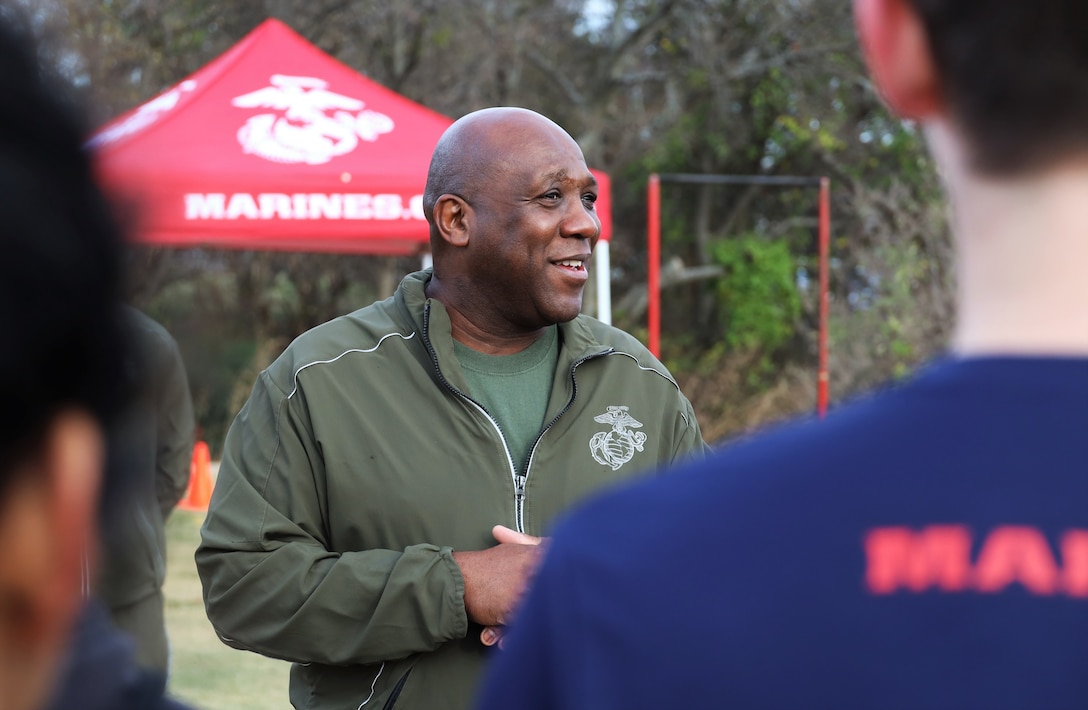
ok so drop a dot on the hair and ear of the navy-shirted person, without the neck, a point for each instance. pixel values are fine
(1008, 78)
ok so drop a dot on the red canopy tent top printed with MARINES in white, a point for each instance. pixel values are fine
(277, 146)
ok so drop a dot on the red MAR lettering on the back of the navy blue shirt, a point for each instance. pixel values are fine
(938, 557)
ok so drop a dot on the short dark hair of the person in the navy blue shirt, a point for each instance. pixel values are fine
(1015, 76)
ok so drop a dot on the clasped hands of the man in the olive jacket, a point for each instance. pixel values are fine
(497, 579)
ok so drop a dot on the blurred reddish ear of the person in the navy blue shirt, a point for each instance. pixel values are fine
(898, 53)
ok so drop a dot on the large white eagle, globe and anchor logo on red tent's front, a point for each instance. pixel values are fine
(306, 132)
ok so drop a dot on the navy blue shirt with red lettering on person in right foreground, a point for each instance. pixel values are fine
(926, 547)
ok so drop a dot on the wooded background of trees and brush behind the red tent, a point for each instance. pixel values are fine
(711, 86)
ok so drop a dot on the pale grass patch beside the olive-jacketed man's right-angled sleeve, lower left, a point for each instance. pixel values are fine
(206, 674)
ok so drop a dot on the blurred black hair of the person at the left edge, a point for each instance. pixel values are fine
(60, 260)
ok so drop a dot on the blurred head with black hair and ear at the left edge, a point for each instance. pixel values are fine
(60, 367)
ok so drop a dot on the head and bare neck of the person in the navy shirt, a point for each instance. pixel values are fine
(1000, 90)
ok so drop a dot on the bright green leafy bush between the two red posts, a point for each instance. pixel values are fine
(758, 295)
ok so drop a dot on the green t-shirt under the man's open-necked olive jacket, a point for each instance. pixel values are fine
(514, 389)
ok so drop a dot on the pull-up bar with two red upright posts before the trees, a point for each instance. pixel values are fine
(654, 256)
